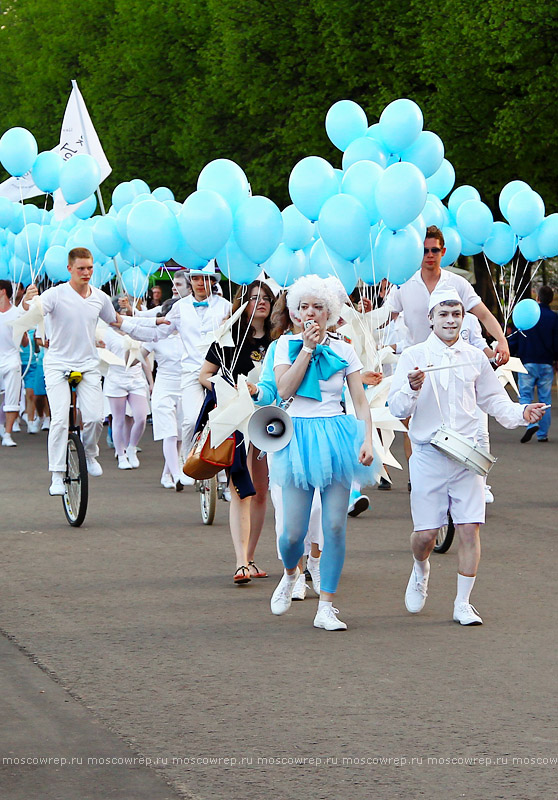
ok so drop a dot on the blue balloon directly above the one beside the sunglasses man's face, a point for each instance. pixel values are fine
(400, 195)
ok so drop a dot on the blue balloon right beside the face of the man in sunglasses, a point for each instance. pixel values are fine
(398, 253)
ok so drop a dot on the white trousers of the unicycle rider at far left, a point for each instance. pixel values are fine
(90, 400)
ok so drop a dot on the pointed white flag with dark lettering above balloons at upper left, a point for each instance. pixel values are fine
(78, 136)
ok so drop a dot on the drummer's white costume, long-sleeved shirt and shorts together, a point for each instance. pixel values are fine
(447, 396)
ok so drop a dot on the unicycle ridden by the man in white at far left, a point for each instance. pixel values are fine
(76, 482)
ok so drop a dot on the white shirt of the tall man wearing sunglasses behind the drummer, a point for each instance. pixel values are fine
(413, 298)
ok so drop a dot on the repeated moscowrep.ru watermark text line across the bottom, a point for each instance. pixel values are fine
(358, 761)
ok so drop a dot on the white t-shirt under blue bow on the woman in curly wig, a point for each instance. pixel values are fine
(330, 404)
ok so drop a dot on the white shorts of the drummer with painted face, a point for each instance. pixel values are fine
(439, 485)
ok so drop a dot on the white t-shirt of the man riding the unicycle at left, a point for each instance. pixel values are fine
(72, 320)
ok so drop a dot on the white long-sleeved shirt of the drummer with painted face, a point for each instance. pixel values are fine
(459, 390)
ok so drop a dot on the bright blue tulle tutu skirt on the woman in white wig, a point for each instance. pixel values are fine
(322, 450)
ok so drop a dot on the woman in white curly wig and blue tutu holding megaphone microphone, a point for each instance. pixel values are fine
(329, 449)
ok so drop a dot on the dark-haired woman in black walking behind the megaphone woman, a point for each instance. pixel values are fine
(248, 476)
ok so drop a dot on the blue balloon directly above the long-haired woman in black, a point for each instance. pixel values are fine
(258, 228)
